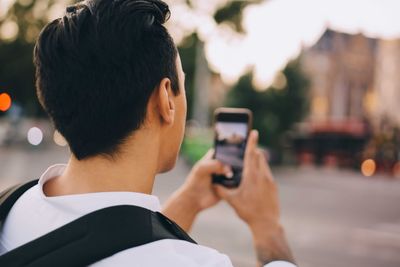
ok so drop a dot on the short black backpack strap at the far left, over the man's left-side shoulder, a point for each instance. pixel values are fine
(9, 196)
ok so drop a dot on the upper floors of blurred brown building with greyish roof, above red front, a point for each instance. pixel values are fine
(341, 68)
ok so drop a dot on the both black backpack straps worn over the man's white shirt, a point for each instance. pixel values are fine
(90, 238)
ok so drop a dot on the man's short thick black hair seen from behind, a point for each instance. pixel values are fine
(97, 67)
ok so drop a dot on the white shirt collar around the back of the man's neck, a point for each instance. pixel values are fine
(93, 201)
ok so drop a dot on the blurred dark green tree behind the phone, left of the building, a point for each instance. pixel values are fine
(275, 110)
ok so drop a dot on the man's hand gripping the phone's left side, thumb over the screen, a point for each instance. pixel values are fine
(197, 193)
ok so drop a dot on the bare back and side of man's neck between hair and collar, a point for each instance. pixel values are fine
(131, 171)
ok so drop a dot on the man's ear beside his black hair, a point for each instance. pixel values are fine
(166, 105)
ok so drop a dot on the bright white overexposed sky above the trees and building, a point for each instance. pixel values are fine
(275, 30)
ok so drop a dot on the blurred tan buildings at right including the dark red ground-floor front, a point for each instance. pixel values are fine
(355, 88)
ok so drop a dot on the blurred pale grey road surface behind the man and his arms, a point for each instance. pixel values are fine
(332, 217)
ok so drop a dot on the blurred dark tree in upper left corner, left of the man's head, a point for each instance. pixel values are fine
(26, 18)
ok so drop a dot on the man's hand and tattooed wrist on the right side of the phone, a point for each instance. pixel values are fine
(256, 202)
